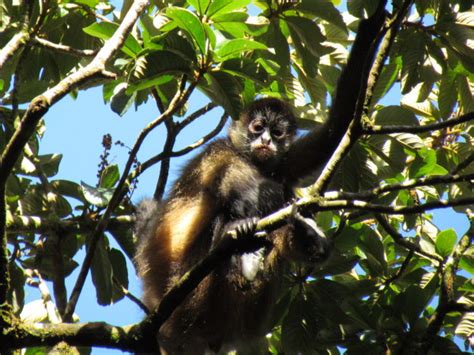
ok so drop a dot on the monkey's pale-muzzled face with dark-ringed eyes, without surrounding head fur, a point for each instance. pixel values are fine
(269, 136)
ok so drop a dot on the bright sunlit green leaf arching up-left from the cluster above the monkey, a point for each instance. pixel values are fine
(190, 23)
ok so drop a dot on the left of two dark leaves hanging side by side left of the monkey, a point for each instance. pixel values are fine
(101, 272)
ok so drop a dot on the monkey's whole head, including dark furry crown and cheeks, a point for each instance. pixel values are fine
(264, 131)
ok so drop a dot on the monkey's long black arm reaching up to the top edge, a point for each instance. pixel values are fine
(315, 148)
